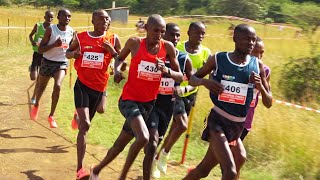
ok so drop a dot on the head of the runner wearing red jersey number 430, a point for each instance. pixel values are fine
(155, 27)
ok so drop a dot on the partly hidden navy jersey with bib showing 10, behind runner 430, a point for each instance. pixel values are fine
(167, 84)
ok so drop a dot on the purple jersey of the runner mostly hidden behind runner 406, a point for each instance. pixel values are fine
(254, 102)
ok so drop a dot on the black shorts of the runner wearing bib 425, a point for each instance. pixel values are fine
(86, 97)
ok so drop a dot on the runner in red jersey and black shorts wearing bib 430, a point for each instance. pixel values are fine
(140, 91)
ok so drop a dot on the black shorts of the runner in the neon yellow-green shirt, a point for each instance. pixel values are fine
(183, 104)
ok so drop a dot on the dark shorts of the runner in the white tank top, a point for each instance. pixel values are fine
(49, 68)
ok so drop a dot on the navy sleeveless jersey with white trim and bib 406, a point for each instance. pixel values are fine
(238, 91)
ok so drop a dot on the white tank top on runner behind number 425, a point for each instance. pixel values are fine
(58, 54)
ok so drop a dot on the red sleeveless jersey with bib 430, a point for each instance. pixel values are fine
(144, 78)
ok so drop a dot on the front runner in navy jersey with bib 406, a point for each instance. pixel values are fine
(233, 77)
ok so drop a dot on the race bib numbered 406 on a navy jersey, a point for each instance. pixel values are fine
(235, 93)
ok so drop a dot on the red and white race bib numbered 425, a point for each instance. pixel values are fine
(92, 60)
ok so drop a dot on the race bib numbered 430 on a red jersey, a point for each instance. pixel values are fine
(148, 71)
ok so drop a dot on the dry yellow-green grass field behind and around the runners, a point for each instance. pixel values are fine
(284, 142)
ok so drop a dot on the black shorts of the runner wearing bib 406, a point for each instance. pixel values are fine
(216, 122)
